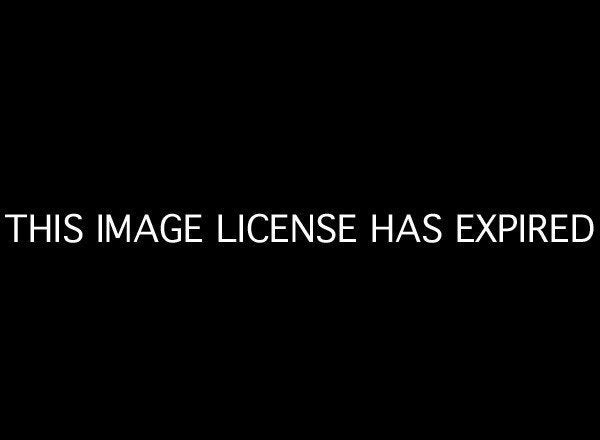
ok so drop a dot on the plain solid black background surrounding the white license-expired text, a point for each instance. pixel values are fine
(369, 113)
